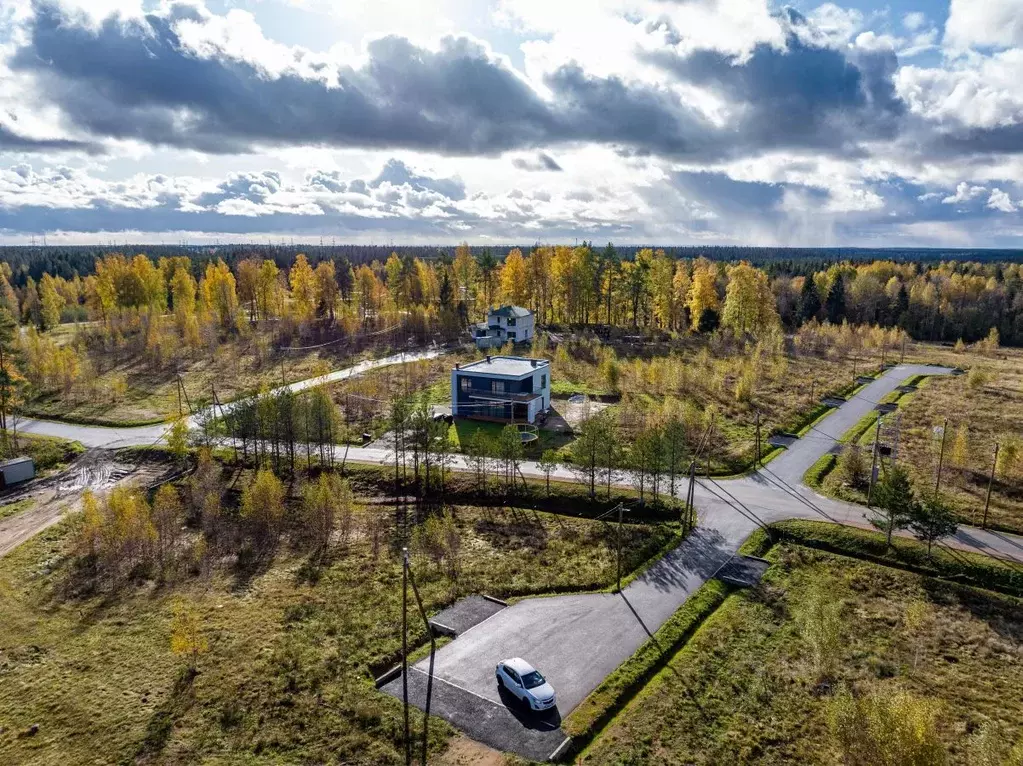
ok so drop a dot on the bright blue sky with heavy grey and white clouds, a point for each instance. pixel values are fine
(671, 122)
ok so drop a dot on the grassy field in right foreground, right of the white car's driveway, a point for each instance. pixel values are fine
(744, 689)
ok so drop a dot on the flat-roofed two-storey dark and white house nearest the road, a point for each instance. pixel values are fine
(507, 389)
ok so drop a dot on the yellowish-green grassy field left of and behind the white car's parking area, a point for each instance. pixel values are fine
(288, 675)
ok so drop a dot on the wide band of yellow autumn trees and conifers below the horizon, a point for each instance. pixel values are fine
(164, 311)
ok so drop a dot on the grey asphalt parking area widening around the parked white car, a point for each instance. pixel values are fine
(574, 641)
